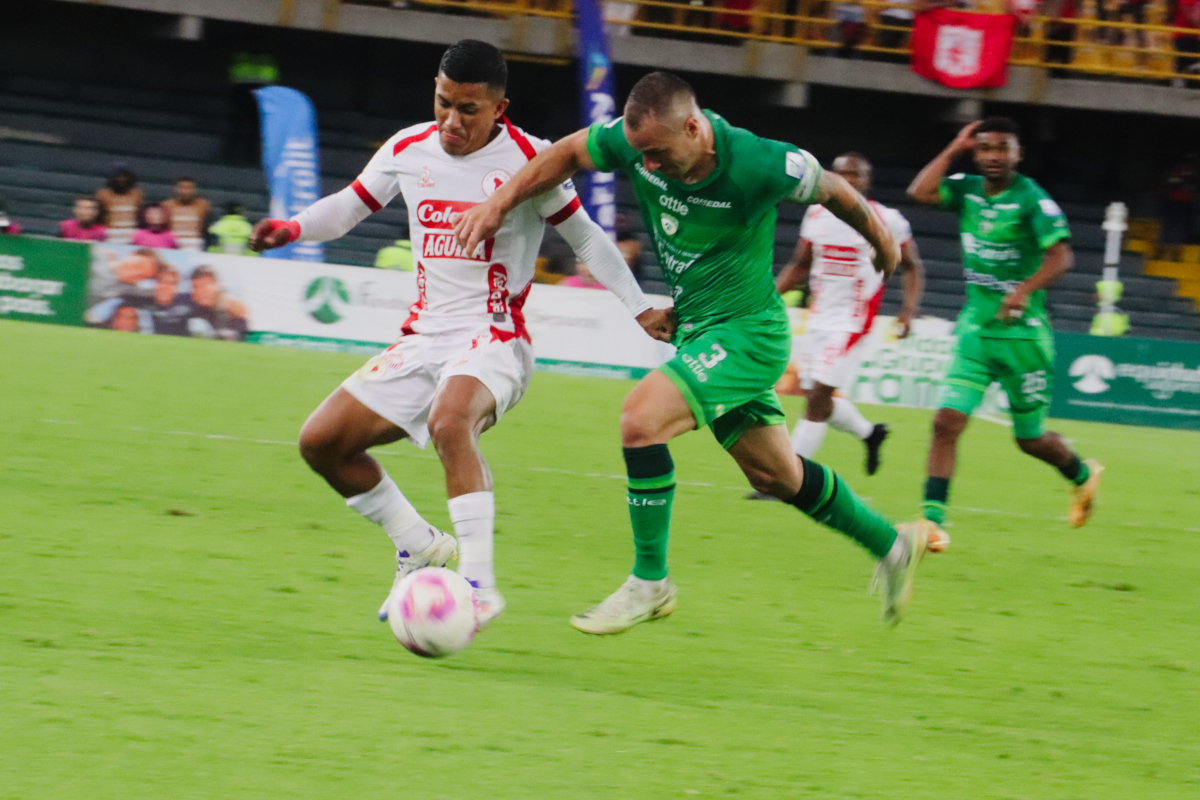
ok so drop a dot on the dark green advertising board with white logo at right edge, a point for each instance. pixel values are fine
(1129, 381)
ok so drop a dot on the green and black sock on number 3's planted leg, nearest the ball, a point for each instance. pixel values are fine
(651, 495)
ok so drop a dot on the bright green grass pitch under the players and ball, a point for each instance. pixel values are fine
(188, 612)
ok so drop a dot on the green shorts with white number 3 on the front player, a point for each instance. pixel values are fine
(728, 374)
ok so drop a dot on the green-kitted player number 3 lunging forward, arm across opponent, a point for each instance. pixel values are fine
(709, 193)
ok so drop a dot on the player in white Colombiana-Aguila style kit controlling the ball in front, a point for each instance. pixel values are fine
(464, 357)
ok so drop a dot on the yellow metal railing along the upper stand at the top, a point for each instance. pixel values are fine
(1084, 45)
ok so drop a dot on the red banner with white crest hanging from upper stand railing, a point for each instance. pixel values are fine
(961, 50)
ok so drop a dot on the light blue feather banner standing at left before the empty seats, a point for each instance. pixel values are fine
(290, 160)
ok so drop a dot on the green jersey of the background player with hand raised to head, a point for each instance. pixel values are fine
(1005, 238)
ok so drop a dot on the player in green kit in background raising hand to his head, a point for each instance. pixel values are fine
(1016, 243)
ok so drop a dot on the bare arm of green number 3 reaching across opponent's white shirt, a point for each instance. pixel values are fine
(544, 172)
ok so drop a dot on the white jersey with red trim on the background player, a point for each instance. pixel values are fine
(847, 291)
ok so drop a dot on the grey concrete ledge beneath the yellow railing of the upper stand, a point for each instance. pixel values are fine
(790, 65)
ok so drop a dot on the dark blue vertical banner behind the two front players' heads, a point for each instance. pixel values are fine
(596, 82)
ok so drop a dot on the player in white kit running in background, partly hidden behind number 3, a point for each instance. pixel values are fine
(845, 296)
